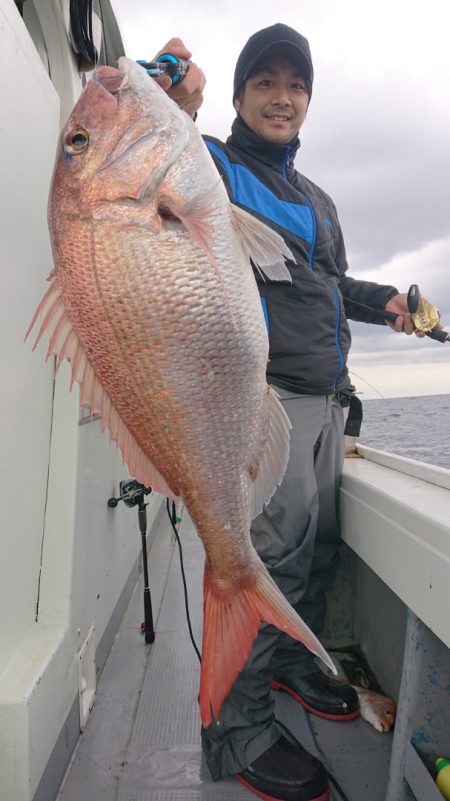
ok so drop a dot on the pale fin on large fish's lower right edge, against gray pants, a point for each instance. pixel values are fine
(272, 465)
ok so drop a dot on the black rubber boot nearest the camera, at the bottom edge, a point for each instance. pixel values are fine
(286, 772)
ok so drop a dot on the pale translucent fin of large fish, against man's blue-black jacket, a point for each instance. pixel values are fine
(263, 246)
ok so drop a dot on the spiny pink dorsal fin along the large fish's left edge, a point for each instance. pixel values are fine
(65, 344)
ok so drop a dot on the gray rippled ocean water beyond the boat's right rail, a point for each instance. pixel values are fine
(416, 427)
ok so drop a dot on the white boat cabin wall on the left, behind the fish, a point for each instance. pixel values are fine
(68, 564)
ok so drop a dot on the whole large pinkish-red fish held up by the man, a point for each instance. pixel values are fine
(152, 271)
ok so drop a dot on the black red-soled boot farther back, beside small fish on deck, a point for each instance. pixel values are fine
(322, 695)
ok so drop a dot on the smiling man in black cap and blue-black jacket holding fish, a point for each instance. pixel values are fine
(297, 535)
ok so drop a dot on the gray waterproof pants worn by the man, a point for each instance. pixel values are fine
(297, 537)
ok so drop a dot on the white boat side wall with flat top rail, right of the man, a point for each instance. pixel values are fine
(391, 598)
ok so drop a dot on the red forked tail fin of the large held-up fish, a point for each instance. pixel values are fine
(230, 626)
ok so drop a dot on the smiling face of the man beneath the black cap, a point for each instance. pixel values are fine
(273, 101)
